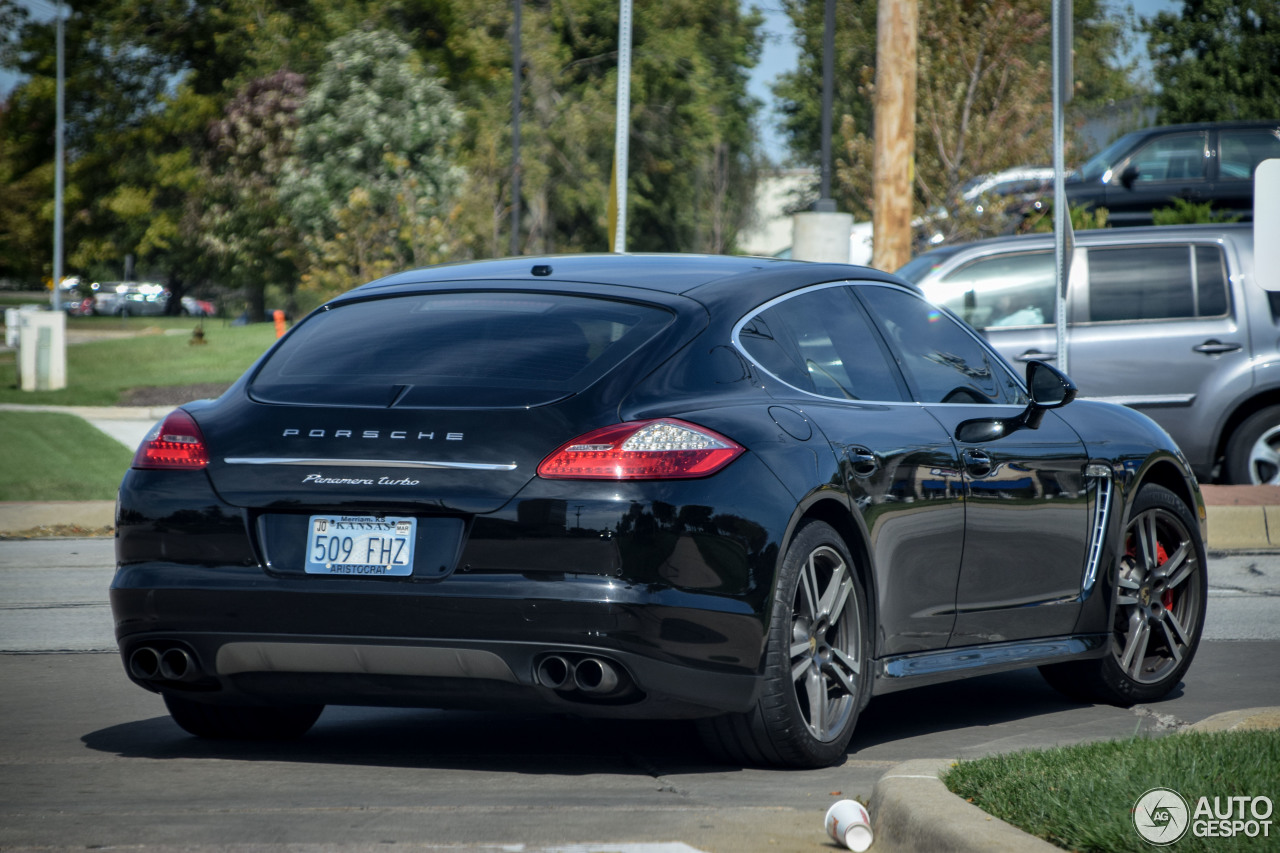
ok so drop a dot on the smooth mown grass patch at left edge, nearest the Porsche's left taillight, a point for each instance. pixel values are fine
(51, 457)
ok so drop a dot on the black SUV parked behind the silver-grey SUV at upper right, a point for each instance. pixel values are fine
(1149, 170)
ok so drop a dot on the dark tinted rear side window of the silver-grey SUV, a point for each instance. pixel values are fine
(1156, 284)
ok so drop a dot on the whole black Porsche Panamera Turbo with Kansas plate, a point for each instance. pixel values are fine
(747, 492)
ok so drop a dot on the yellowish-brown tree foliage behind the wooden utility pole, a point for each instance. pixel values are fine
(984, 94)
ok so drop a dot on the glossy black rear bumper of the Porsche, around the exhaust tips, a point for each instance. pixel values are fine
(461, 644)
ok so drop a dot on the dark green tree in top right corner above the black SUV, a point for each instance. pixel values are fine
(1217, 61)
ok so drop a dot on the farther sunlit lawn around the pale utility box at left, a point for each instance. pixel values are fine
(99, 372)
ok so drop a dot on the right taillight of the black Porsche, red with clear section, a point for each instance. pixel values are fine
(642, 450)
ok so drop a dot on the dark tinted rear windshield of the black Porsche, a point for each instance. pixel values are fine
(455, 350)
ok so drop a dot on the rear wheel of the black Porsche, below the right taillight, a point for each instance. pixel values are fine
(817, 670)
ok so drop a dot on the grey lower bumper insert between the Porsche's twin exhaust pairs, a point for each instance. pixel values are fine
(363, 659)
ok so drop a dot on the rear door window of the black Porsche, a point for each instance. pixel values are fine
(820, 341)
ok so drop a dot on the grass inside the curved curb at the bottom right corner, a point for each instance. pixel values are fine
(1081, 797)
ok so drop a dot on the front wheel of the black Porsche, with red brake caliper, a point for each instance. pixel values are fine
(1159, 617)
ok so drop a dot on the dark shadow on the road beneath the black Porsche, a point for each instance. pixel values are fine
(931, 719)
